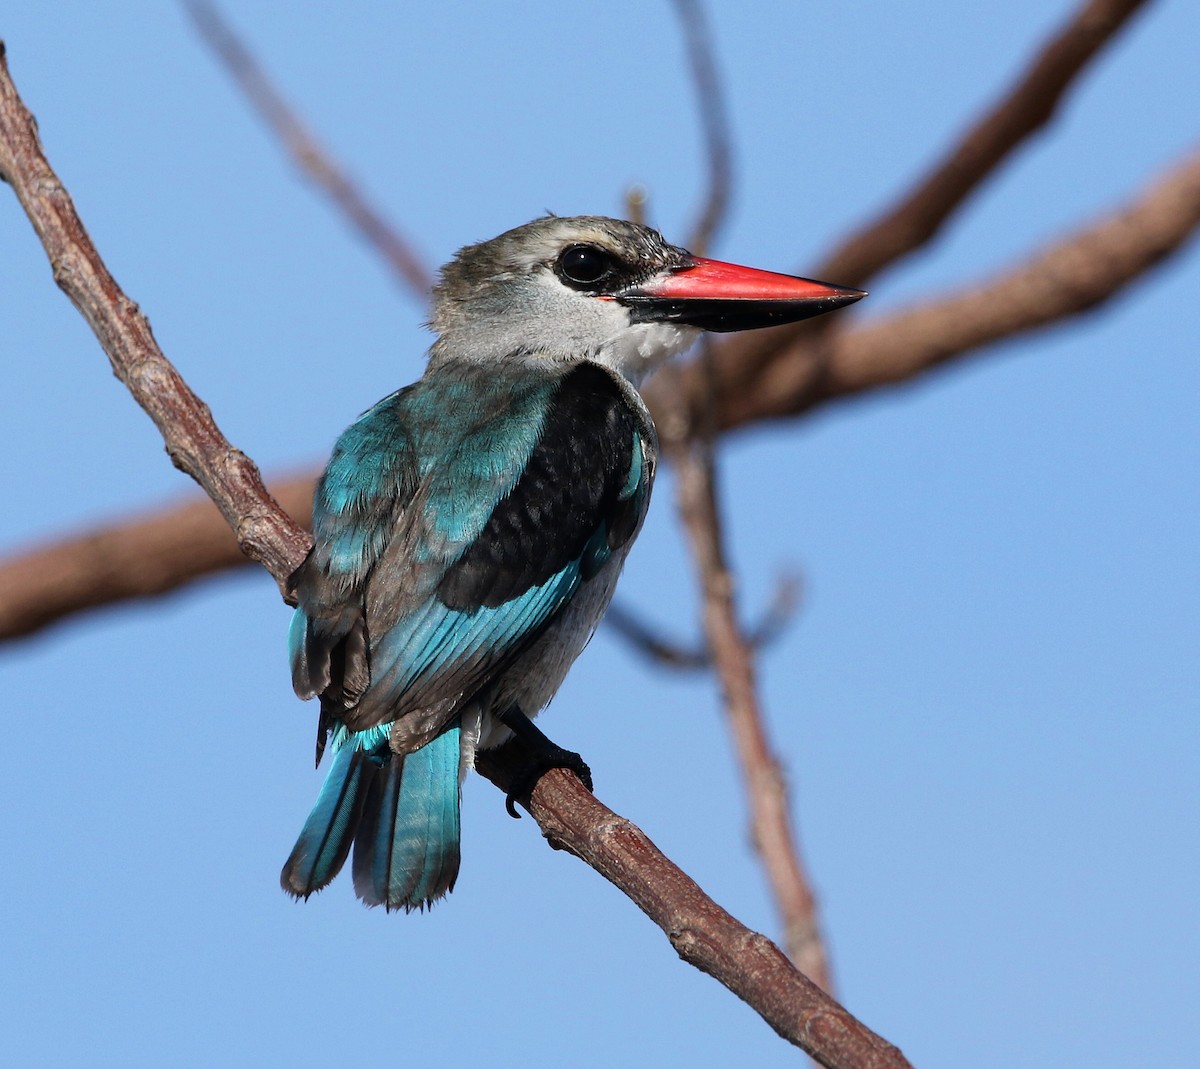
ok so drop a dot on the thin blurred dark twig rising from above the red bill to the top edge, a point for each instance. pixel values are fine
(715, 122)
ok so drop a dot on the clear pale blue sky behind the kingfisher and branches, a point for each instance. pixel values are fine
(989, 704)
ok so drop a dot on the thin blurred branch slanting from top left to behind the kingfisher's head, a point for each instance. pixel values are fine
(308, 155)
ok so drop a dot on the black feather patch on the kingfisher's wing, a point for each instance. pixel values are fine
(569, 495)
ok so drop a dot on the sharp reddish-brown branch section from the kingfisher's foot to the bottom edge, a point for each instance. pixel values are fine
(704, 935)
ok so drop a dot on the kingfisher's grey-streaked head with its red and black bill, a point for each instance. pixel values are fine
(589, 287)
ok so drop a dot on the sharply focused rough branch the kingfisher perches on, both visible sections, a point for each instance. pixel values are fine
(747, 965)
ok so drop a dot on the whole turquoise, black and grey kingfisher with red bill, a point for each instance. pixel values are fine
(470, 530)
